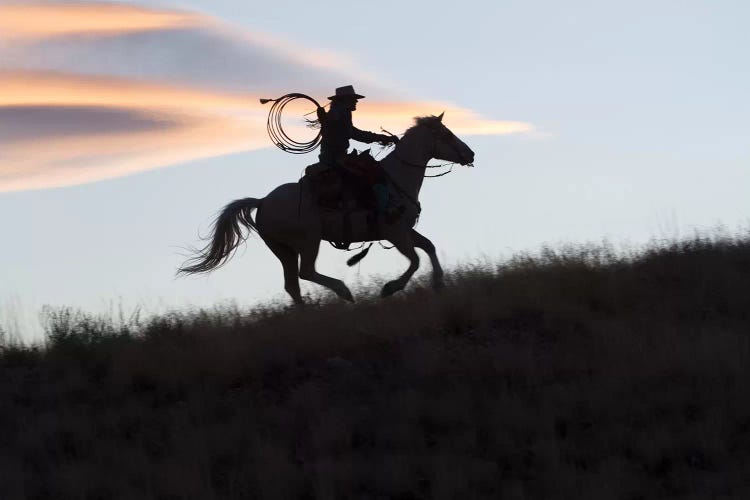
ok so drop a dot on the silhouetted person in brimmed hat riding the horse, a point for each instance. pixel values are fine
(337, 129)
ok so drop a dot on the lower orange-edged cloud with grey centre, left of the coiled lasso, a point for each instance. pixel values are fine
(60, 130)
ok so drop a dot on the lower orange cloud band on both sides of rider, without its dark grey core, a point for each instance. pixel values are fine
(202, 124)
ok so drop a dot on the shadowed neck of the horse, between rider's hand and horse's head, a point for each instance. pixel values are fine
(403, 164)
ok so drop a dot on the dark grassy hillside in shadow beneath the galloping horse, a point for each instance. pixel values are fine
(577, 374)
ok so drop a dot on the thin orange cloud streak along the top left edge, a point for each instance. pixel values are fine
(39, 20)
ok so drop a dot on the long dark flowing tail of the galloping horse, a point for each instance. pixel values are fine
(227, 236)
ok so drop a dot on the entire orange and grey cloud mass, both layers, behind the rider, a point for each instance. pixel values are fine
(90, 91)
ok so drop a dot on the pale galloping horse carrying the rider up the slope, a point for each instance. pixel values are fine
(292, 224)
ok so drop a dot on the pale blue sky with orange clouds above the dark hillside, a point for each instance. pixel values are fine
(125, 127)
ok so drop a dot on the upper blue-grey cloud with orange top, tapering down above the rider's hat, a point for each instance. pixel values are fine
(202, 52)
